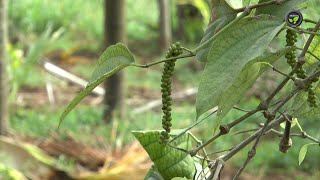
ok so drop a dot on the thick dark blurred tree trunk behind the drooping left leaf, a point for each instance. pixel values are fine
(114, 27)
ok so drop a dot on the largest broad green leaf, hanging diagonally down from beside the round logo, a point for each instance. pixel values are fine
(244, 41)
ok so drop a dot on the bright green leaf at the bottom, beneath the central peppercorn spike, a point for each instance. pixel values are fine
(169, 161)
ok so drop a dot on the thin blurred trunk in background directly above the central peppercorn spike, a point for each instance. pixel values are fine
(165, 24)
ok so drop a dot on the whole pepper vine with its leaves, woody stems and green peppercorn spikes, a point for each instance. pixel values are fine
(235, 50)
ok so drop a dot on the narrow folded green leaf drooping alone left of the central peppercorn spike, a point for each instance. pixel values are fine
(113, 59)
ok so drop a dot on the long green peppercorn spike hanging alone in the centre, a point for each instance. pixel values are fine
(166, 81)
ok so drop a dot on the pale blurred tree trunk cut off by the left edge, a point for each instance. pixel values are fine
(3, 66)
